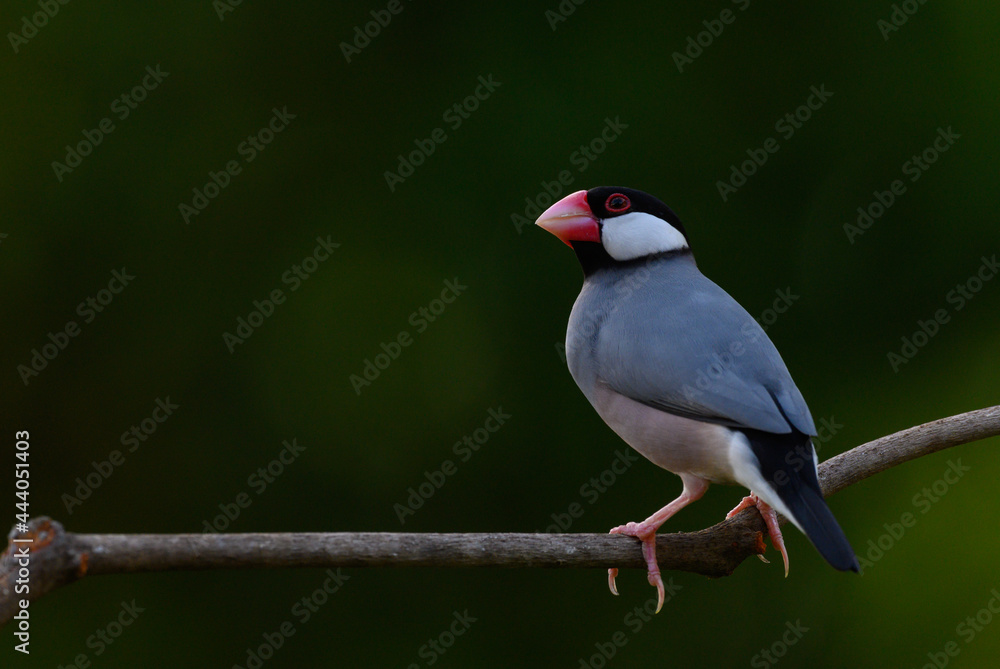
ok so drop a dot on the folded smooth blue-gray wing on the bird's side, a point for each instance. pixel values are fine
(684, 346)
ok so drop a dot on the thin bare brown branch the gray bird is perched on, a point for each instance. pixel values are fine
(57, 557)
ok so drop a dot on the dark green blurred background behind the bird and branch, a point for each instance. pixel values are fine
(497, 345)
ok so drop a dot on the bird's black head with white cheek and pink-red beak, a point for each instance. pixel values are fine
(610, 224)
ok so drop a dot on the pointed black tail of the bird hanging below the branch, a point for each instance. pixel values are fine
(788, 463)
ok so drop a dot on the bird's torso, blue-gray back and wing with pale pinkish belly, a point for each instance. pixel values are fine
(643, 344)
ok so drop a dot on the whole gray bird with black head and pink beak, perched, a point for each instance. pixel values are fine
(680, 371)
